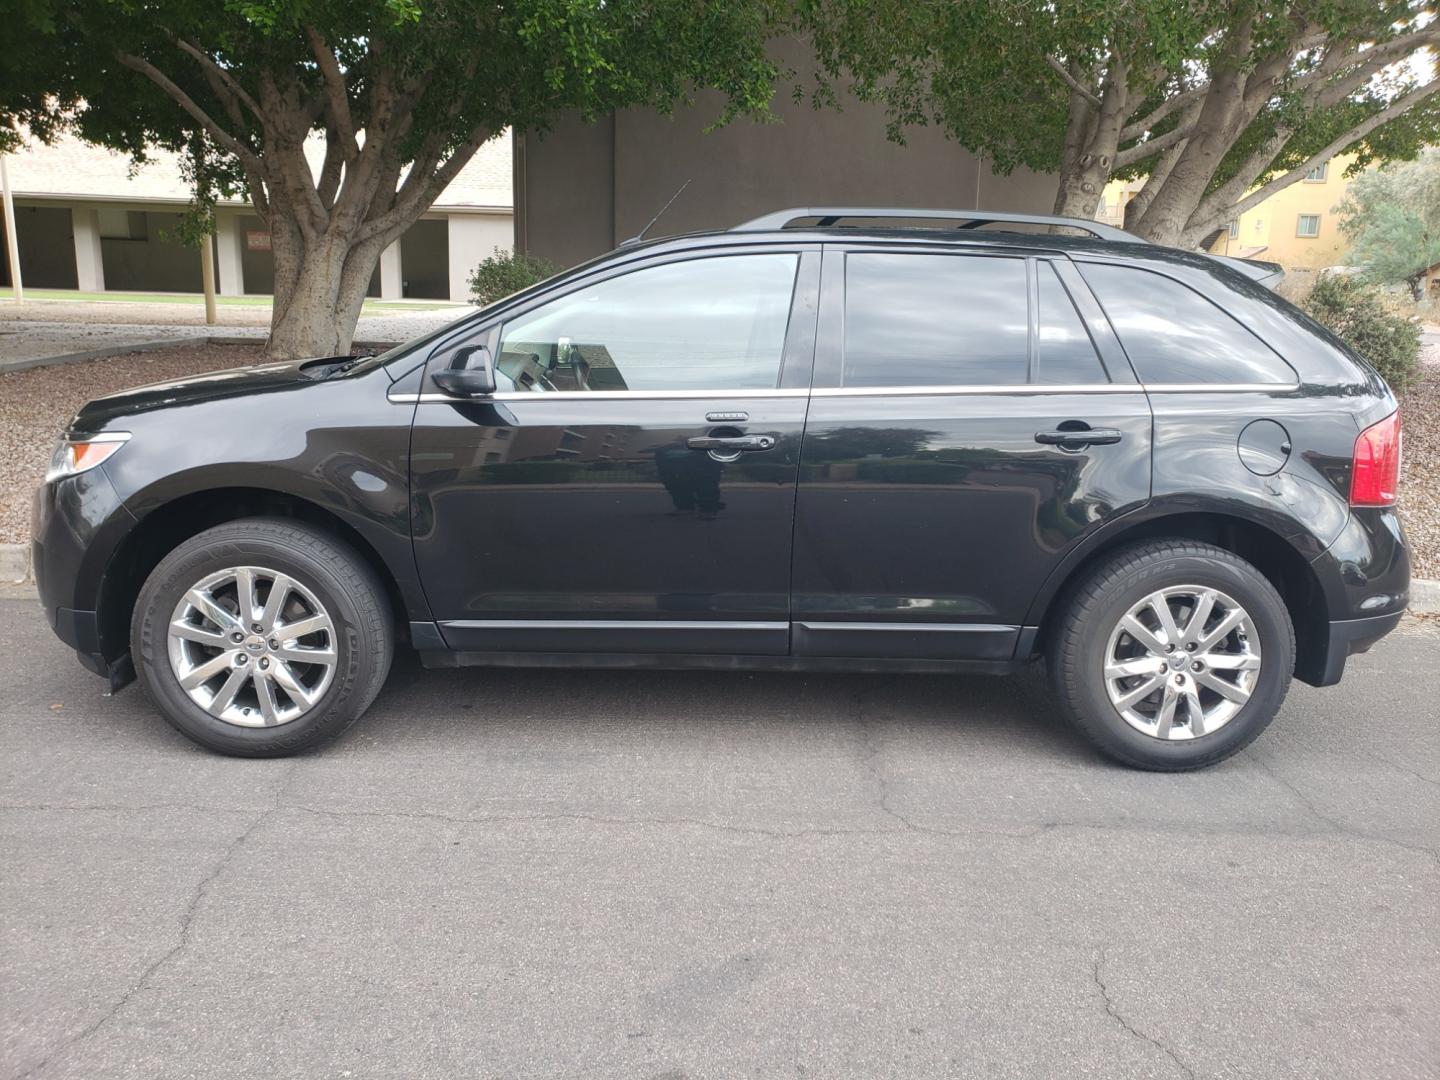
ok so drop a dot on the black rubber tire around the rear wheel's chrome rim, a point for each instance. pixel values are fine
(1078, 650)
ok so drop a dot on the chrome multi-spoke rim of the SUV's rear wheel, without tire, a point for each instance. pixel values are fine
(1183, 663)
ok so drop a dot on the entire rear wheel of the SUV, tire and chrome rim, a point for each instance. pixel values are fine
(1173, 656)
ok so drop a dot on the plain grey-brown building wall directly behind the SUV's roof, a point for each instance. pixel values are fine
(584, 188)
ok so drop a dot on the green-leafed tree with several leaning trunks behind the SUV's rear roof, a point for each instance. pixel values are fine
(1218, 103)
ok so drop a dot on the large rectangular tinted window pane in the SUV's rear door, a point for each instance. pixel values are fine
(935, 320)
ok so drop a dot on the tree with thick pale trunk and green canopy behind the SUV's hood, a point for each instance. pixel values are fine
(402, 91)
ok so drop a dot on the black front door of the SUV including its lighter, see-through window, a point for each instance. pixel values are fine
(631, 485)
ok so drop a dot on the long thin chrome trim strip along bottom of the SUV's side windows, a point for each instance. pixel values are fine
(849, 392)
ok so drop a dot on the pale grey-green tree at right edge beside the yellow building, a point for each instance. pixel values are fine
(1392, 217)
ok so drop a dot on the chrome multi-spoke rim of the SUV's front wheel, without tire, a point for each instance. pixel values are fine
(253, 647)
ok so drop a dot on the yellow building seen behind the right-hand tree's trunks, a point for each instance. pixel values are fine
(1298, 227)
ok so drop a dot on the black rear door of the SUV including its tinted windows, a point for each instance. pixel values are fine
(973, 421)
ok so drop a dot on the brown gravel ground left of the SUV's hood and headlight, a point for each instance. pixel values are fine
(37, 405)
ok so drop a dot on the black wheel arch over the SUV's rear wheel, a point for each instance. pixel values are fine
(1275, 557)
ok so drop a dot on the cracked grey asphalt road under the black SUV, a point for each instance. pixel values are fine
(627, 875)
